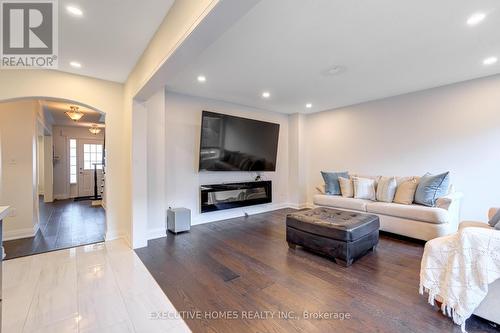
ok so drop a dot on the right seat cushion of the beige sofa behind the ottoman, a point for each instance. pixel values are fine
(411, 212)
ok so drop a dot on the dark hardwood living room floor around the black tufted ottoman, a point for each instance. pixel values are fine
(244, 264)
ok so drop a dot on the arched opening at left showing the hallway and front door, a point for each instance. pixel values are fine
(58, 149)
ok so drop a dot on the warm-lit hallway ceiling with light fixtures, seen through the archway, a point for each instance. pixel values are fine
(58, 108)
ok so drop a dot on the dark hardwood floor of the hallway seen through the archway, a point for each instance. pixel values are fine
(63, 224)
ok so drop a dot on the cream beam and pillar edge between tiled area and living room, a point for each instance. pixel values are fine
(182, 18)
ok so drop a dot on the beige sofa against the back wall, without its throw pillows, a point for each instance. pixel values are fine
(415, 221)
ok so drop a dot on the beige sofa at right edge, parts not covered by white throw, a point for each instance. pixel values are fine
(488, 309)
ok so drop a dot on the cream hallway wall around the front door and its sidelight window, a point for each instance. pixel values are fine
(60, 137)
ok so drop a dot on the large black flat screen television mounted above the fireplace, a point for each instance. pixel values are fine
(230, 143)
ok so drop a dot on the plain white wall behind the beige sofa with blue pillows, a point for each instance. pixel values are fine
(454, 128)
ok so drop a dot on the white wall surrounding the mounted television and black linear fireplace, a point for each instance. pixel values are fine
(181, 146)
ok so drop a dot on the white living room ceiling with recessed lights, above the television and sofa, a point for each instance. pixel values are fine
(386, 47)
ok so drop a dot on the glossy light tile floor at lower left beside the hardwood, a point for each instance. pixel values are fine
(95, 288)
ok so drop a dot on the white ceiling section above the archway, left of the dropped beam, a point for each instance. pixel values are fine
(110, 36)
